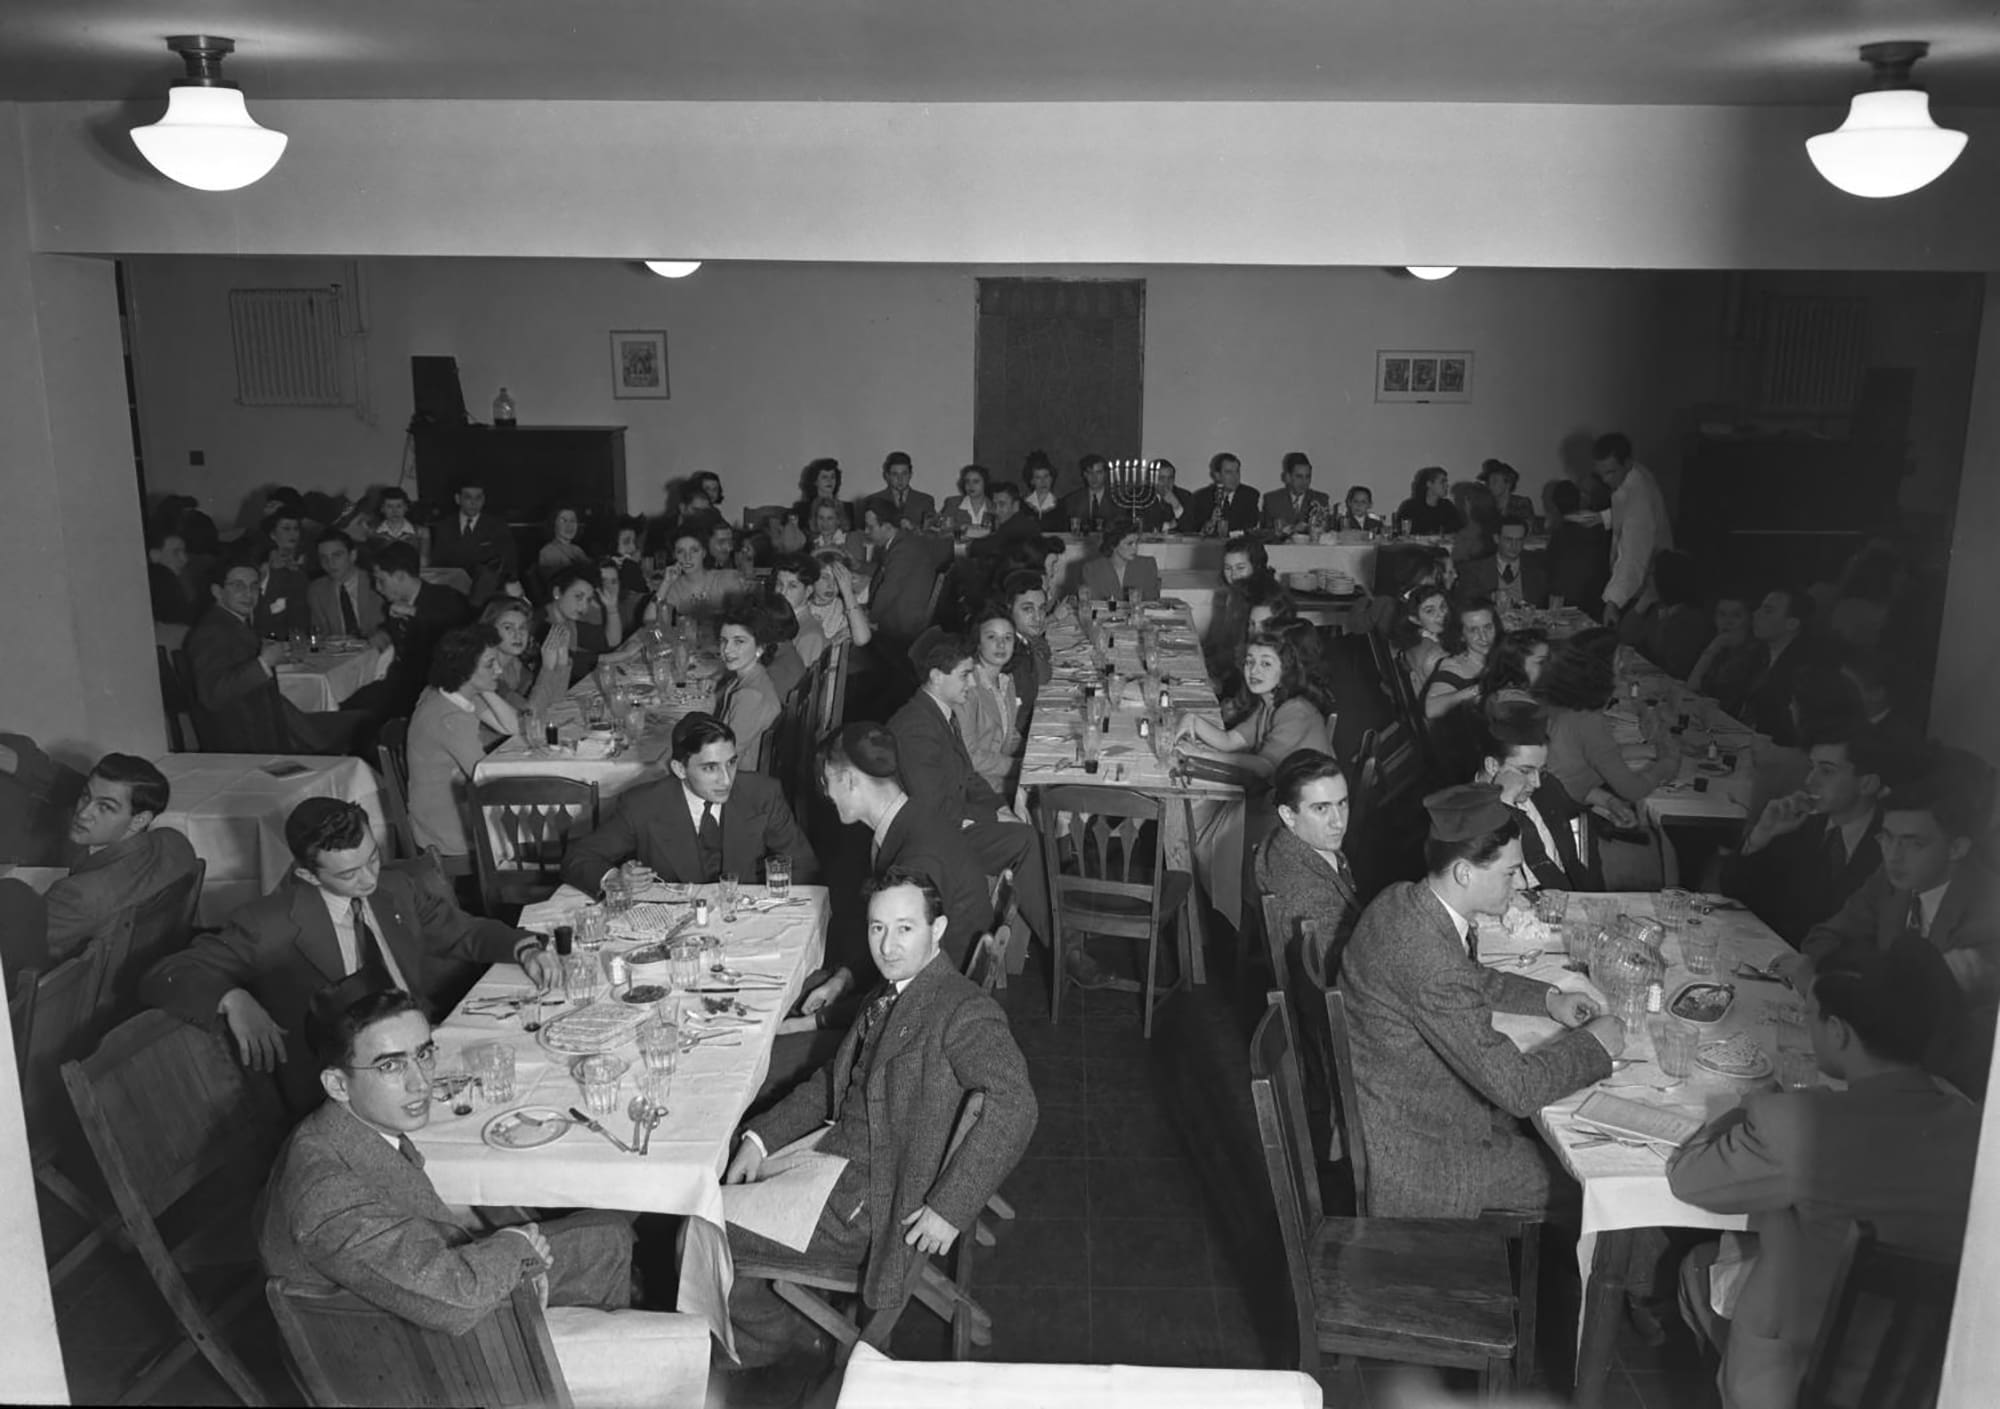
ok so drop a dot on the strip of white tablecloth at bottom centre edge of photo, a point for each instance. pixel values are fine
(875, 1382)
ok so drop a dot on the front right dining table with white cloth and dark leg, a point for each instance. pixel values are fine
(1625, 1188)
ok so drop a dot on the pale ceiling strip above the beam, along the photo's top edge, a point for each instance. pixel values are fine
(941, 51)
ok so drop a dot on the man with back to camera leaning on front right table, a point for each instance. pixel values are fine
(1893, 1150)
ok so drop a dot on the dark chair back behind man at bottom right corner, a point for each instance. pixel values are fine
(1883, 1334)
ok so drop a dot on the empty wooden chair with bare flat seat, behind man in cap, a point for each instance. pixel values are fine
(1421, 1292)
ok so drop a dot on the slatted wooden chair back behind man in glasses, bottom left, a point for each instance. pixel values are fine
(349, 1352)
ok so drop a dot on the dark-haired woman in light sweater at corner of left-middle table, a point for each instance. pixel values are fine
(455, 724)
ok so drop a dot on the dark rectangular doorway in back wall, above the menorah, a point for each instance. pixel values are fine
(1059, 367)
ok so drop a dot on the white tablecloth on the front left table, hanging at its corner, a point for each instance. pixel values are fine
(691, 1150)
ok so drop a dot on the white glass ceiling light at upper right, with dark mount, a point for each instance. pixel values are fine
(1889, 145)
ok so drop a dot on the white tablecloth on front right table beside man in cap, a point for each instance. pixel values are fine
(1627, 1188)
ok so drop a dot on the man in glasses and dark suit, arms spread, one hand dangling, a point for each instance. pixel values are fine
(339, 914)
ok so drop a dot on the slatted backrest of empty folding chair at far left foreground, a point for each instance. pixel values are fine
(165, 1106)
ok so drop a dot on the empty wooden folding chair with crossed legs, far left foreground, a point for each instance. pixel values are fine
(179, 1128)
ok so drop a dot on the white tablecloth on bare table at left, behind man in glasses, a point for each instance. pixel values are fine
(233, 810)
